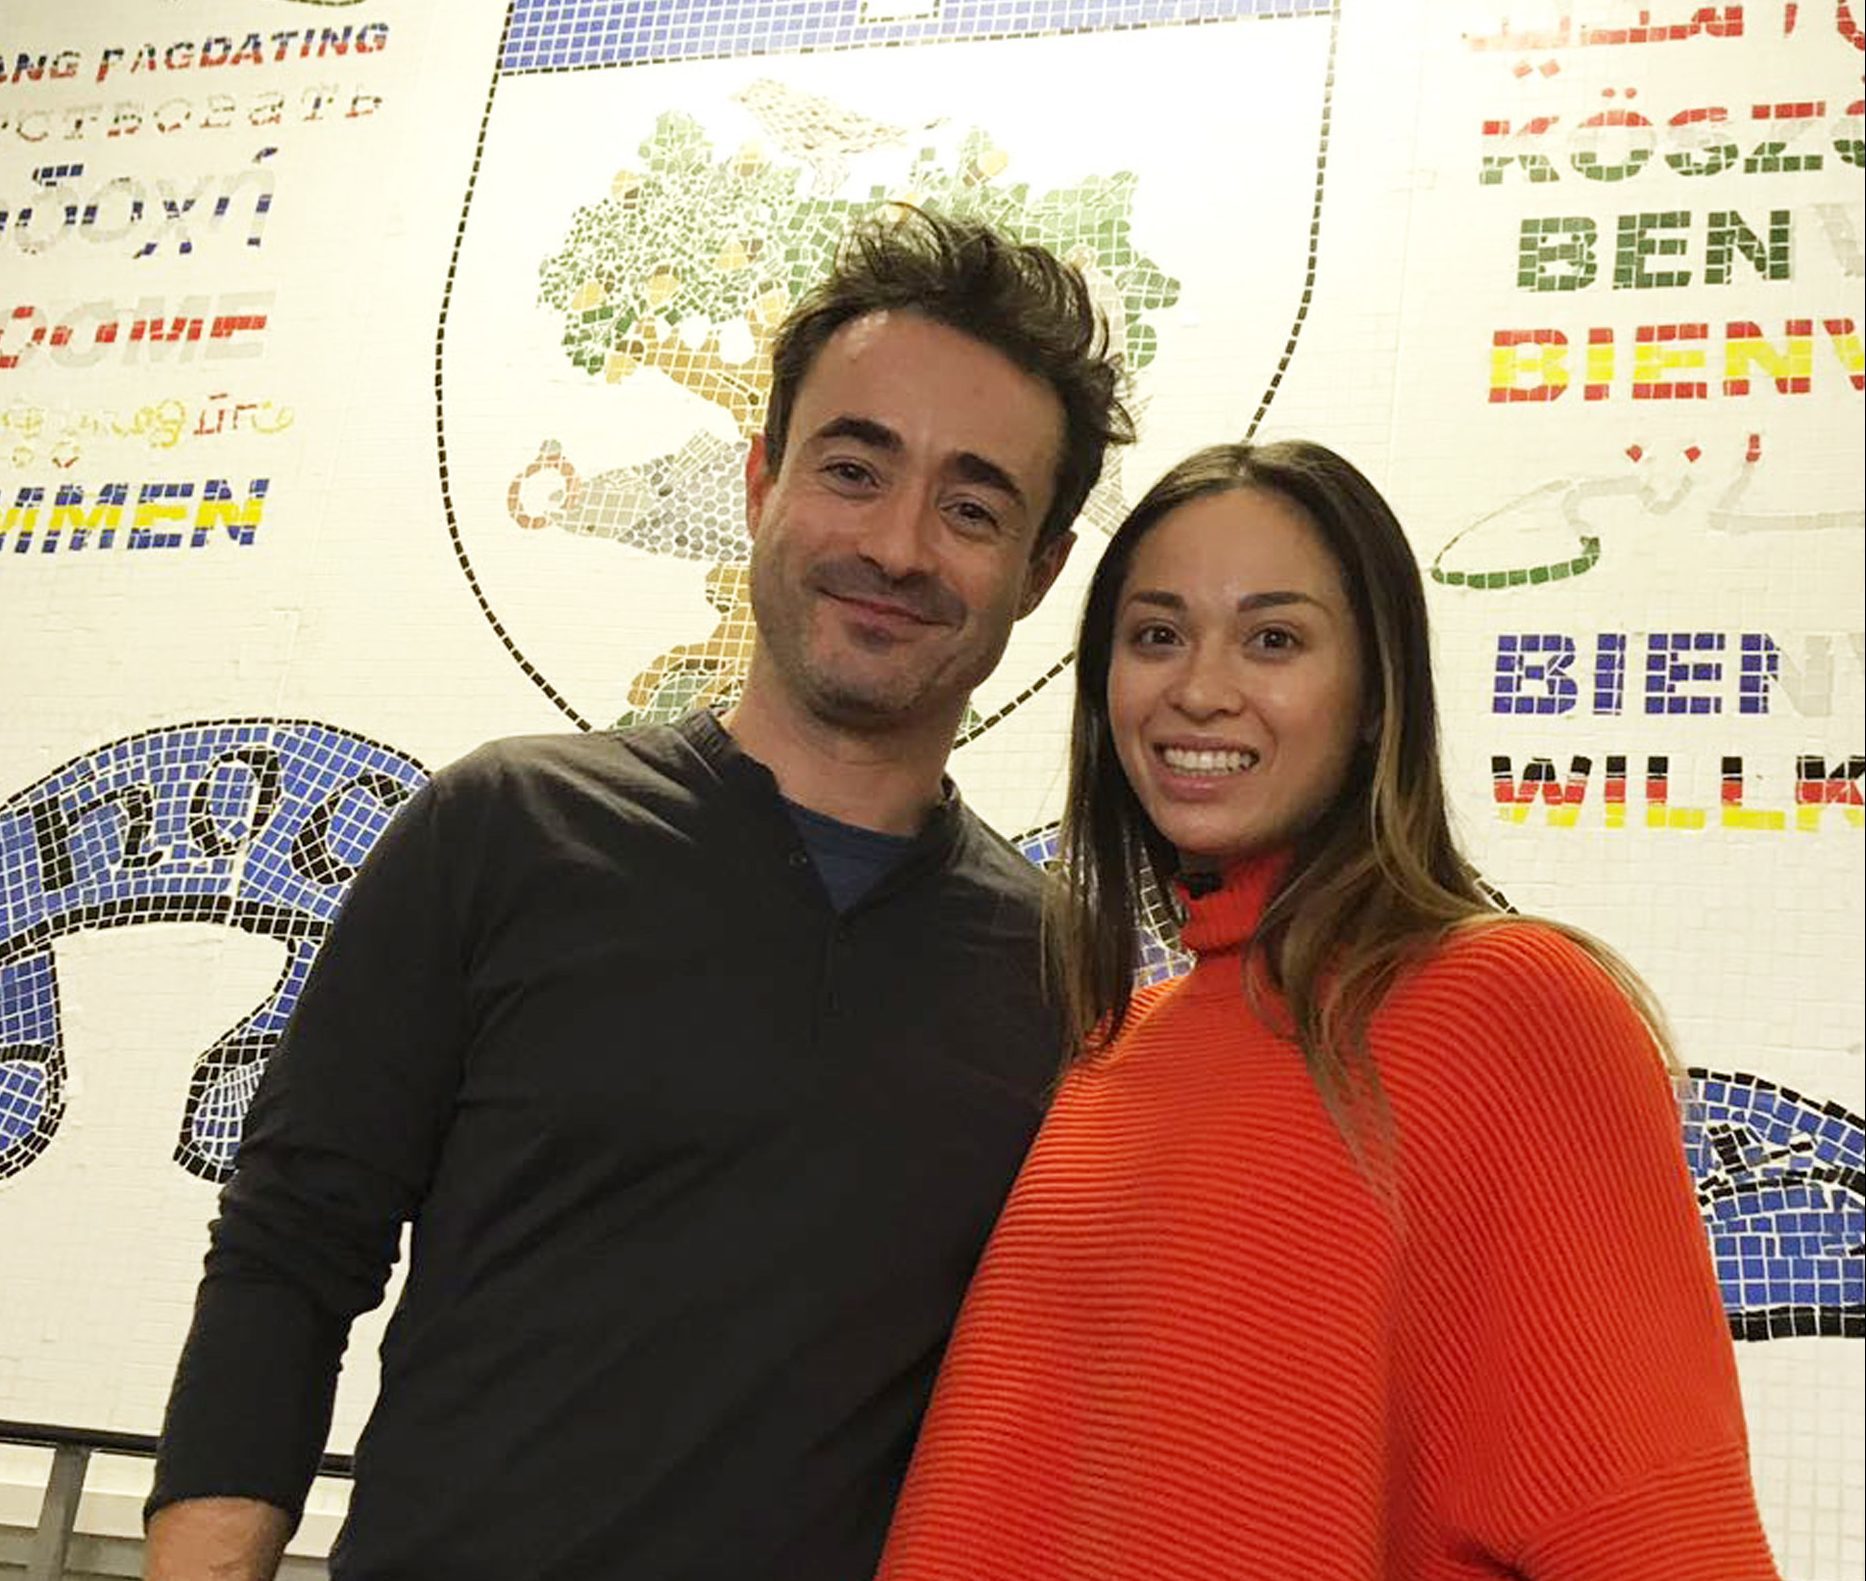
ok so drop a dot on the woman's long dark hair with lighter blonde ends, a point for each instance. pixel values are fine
(1376, 882)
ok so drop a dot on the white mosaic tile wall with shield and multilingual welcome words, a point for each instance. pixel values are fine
(376, 378)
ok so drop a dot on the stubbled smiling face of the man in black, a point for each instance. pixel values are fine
(891, 552)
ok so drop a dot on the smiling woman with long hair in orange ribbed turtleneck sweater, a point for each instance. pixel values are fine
(1367, 1250)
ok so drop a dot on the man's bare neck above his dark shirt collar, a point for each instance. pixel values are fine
(884, 781)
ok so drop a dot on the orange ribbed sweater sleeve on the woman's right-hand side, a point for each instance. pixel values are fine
(1578, 1386)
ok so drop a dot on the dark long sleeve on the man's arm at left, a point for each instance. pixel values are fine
(339, 1147)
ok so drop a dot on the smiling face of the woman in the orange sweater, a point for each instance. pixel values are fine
(1236, 677)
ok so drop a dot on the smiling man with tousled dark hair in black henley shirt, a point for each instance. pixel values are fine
(701, 1056)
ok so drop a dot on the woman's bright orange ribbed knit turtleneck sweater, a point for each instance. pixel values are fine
(1201, 1349)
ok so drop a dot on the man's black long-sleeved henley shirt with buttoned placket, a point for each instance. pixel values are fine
(697, 1168)
